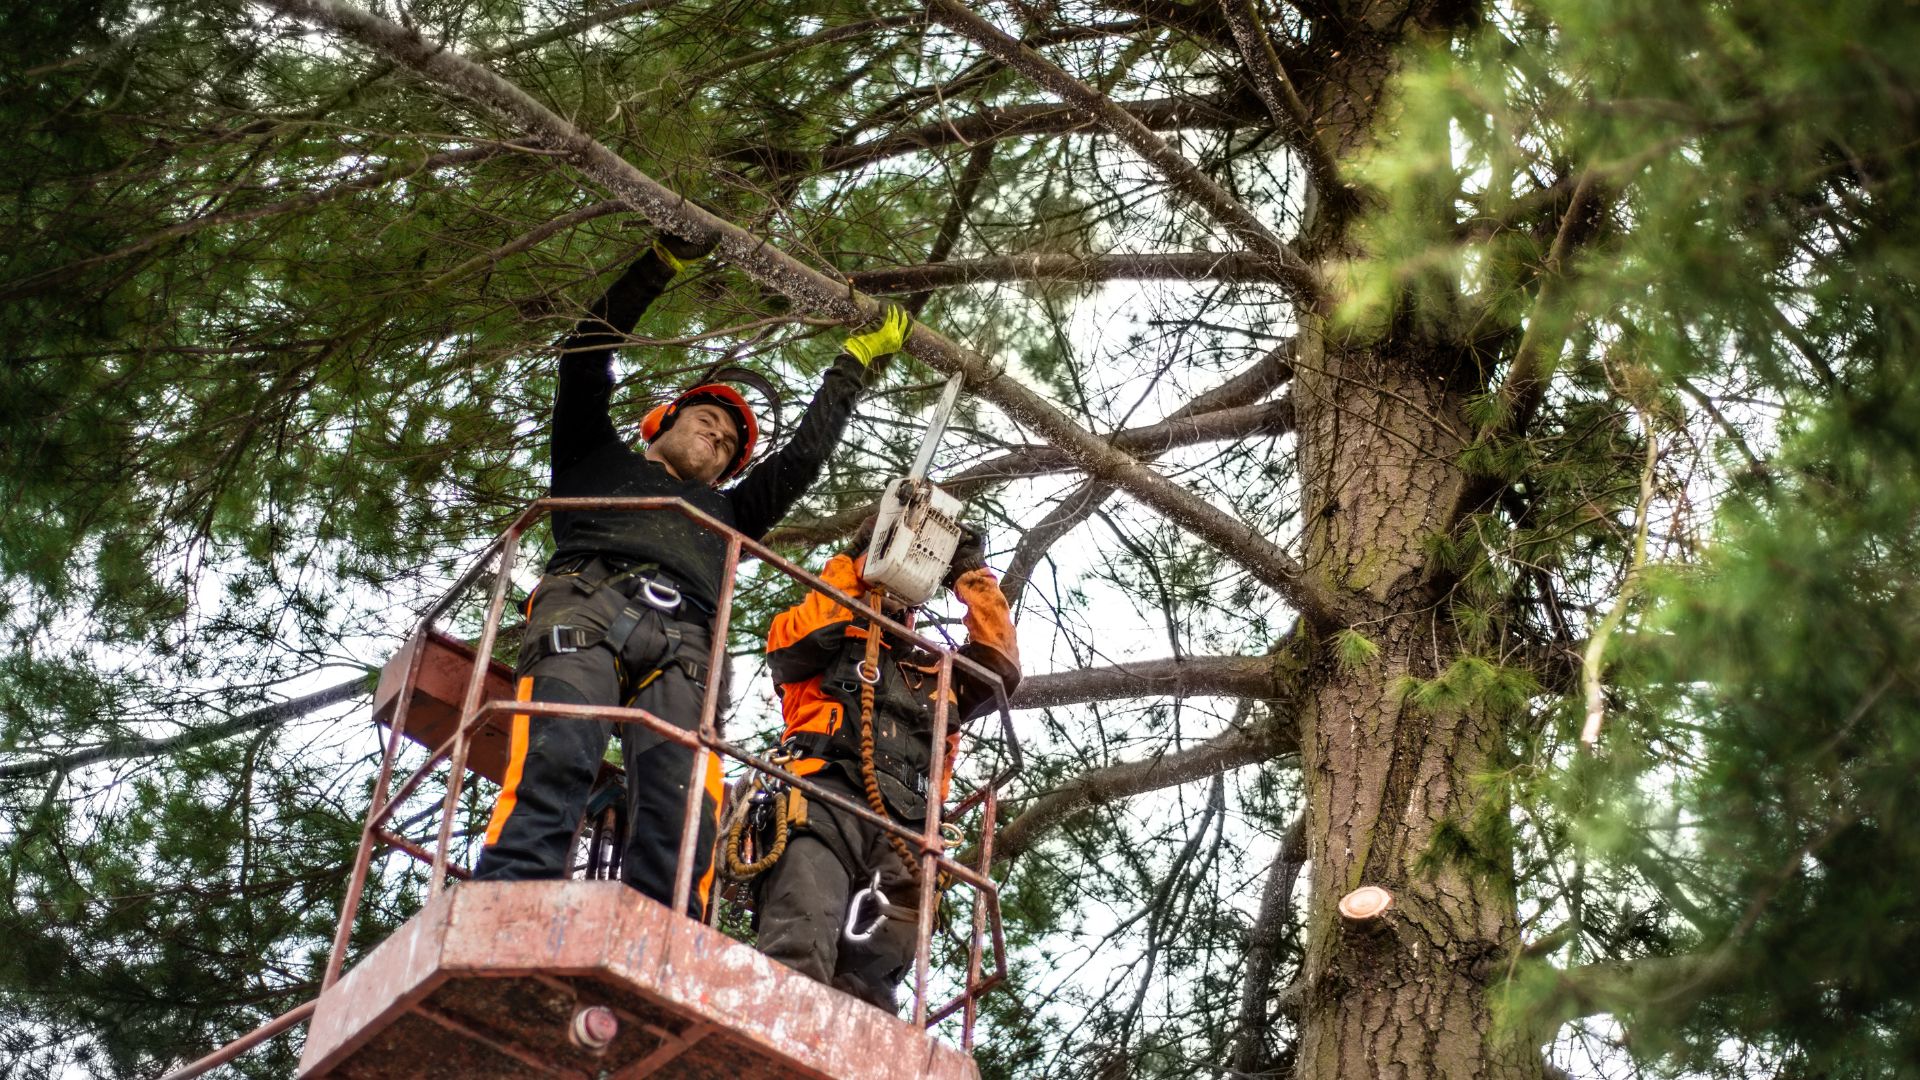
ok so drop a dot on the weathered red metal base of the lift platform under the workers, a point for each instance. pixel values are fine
(489, 977)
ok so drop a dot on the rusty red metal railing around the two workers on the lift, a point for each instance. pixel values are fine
(704, 739)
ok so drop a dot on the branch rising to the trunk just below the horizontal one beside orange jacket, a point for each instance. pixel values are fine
(1099, 787)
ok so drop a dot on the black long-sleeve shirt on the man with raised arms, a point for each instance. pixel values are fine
(592, 460)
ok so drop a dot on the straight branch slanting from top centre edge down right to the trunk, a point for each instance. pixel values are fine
(1186, 178)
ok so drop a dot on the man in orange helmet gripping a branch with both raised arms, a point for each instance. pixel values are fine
(625, 610)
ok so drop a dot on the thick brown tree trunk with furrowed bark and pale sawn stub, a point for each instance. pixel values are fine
(1404, 994)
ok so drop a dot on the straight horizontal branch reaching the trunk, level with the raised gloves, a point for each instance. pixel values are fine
(1164, 266)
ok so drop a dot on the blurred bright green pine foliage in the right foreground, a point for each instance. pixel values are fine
(1727, 873)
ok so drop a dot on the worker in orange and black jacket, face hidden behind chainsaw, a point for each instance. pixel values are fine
(817, 652)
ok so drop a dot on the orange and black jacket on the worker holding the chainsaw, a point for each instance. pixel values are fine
(807, 641)
